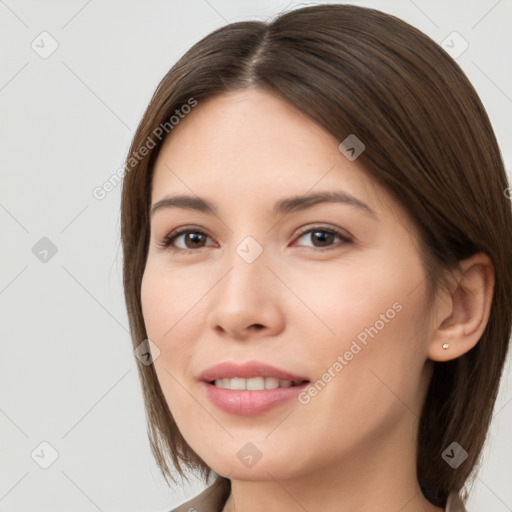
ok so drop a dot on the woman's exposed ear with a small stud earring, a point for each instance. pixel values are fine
(462, 313)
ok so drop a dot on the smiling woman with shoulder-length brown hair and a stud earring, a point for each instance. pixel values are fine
(316, 241)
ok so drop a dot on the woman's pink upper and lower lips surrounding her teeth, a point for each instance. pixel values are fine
(244, 402)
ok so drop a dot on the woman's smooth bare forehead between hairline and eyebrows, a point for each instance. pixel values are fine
(250, 145)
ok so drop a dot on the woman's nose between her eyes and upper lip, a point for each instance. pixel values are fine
(247, 301)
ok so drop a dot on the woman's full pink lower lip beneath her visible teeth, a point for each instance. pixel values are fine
(250, 403)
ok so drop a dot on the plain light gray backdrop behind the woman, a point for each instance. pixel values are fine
(68, 375)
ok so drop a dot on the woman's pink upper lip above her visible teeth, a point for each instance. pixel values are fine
(229, 370)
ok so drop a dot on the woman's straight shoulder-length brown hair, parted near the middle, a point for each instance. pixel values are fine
(428, 141)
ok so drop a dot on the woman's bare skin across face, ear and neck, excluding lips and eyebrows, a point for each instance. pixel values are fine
(353, 446)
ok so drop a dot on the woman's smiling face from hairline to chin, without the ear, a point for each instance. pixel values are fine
(328, 292)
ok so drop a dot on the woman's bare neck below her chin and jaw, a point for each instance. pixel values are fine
(371, 479)
